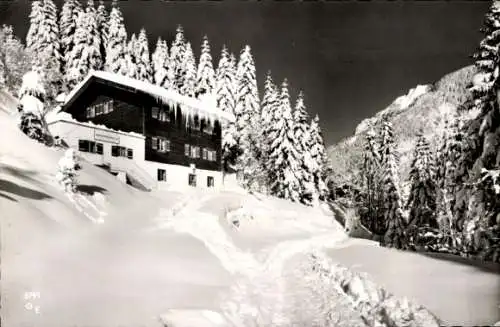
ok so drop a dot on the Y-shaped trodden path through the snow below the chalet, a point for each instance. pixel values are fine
(257, 295)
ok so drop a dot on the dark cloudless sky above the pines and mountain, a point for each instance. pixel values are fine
(351, 58)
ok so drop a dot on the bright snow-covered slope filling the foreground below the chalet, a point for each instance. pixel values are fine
(169, 258)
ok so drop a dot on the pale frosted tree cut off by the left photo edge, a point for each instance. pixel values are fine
(14, 60)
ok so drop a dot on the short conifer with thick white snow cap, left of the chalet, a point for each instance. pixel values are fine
(32, 97)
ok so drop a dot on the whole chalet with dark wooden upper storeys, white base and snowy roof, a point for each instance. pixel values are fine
(145, 134)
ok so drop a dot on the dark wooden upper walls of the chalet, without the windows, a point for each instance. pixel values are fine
(132, 113)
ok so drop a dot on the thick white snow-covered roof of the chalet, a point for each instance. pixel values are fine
(203, 107)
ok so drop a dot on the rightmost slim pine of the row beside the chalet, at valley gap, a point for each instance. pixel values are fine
(319, 159)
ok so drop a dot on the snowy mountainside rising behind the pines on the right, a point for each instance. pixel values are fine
(424, 107)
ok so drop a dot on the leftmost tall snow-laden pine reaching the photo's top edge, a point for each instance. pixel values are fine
(43, 43)
